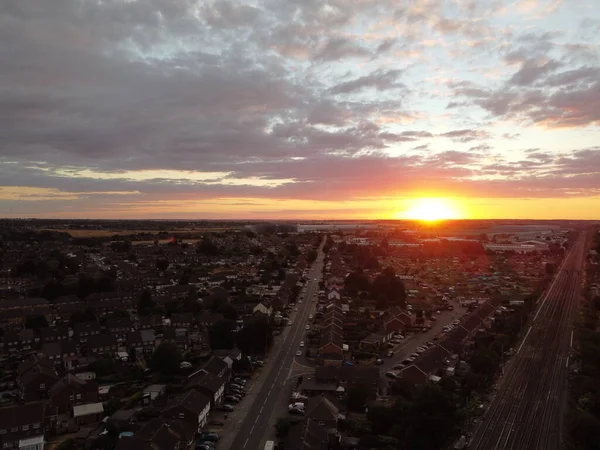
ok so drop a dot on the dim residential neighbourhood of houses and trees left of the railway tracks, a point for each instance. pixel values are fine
(166, 342)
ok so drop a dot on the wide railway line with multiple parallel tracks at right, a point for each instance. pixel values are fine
(526, 412)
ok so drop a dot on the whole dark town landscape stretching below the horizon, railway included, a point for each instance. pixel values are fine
(314, 335)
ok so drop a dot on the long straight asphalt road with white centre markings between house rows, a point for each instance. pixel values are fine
(251, 431)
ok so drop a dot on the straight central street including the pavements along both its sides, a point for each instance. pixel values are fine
(252, 420)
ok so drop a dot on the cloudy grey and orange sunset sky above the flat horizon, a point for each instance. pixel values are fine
(299, 109)
